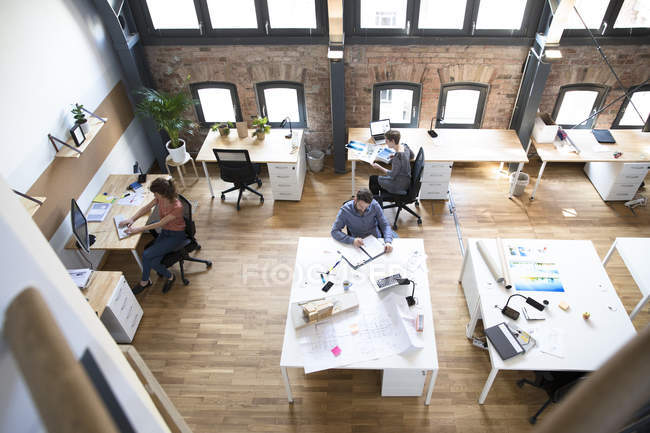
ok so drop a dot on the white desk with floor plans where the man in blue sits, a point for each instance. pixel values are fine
(318, 253)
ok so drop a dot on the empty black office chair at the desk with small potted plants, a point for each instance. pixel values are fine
(236, 167)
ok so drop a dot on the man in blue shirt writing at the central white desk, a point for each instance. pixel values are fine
(362, 216)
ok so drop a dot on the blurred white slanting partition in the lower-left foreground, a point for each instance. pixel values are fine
(32, 262)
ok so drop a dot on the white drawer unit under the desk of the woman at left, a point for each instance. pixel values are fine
(122, 313)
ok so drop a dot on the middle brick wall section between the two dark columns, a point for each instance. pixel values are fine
(500, 67)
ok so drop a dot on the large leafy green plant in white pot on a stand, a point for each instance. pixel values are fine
(166, 110)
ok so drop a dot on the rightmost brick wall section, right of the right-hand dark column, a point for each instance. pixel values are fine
(583, 64)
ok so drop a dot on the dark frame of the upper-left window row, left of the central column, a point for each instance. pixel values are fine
(205, 34)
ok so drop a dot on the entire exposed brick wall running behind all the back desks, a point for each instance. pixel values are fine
(498, 66)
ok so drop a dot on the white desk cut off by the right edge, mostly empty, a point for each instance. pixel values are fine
(635, 253)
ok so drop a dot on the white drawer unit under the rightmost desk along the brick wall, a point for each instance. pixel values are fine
(615, 180)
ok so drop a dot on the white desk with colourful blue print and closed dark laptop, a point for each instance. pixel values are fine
(587, 343)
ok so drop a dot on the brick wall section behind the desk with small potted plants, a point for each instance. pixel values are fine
(245, 65)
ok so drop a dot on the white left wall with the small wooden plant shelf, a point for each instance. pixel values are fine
(57, 53)
